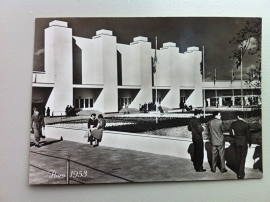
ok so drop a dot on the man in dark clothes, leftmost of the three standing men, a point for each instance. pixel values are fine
(196, 128)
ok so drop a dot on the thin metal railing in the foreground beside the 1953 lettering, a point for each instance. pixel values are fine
(68, 160)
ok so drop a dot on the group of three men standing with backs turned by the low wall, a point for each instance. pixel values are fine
(216, 128)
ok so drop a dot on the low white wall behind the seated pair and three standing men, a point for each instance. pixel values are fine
(163, 145)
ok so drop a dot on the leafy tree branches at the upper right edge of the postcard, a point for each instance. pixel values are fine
(248, 40)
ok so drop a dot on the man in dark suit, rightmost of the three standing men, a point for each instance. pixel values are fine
(242, 138)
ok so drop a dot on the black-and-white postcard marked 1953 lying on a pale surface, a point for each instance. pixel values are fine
(145, 99)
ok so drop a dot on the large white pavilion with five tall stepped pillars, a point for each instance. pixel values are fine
(112, 74)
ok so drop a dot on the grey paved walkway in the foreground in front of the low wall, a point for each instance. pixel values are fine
(111, 165)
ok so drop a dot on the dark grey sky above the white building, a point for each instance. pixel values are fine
(211, 32)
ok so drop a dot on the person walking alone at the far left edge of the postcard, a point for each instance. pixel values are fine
(37, 122)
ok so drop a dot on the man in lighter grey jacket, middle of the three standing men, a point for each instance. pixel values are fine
(216, 129)
